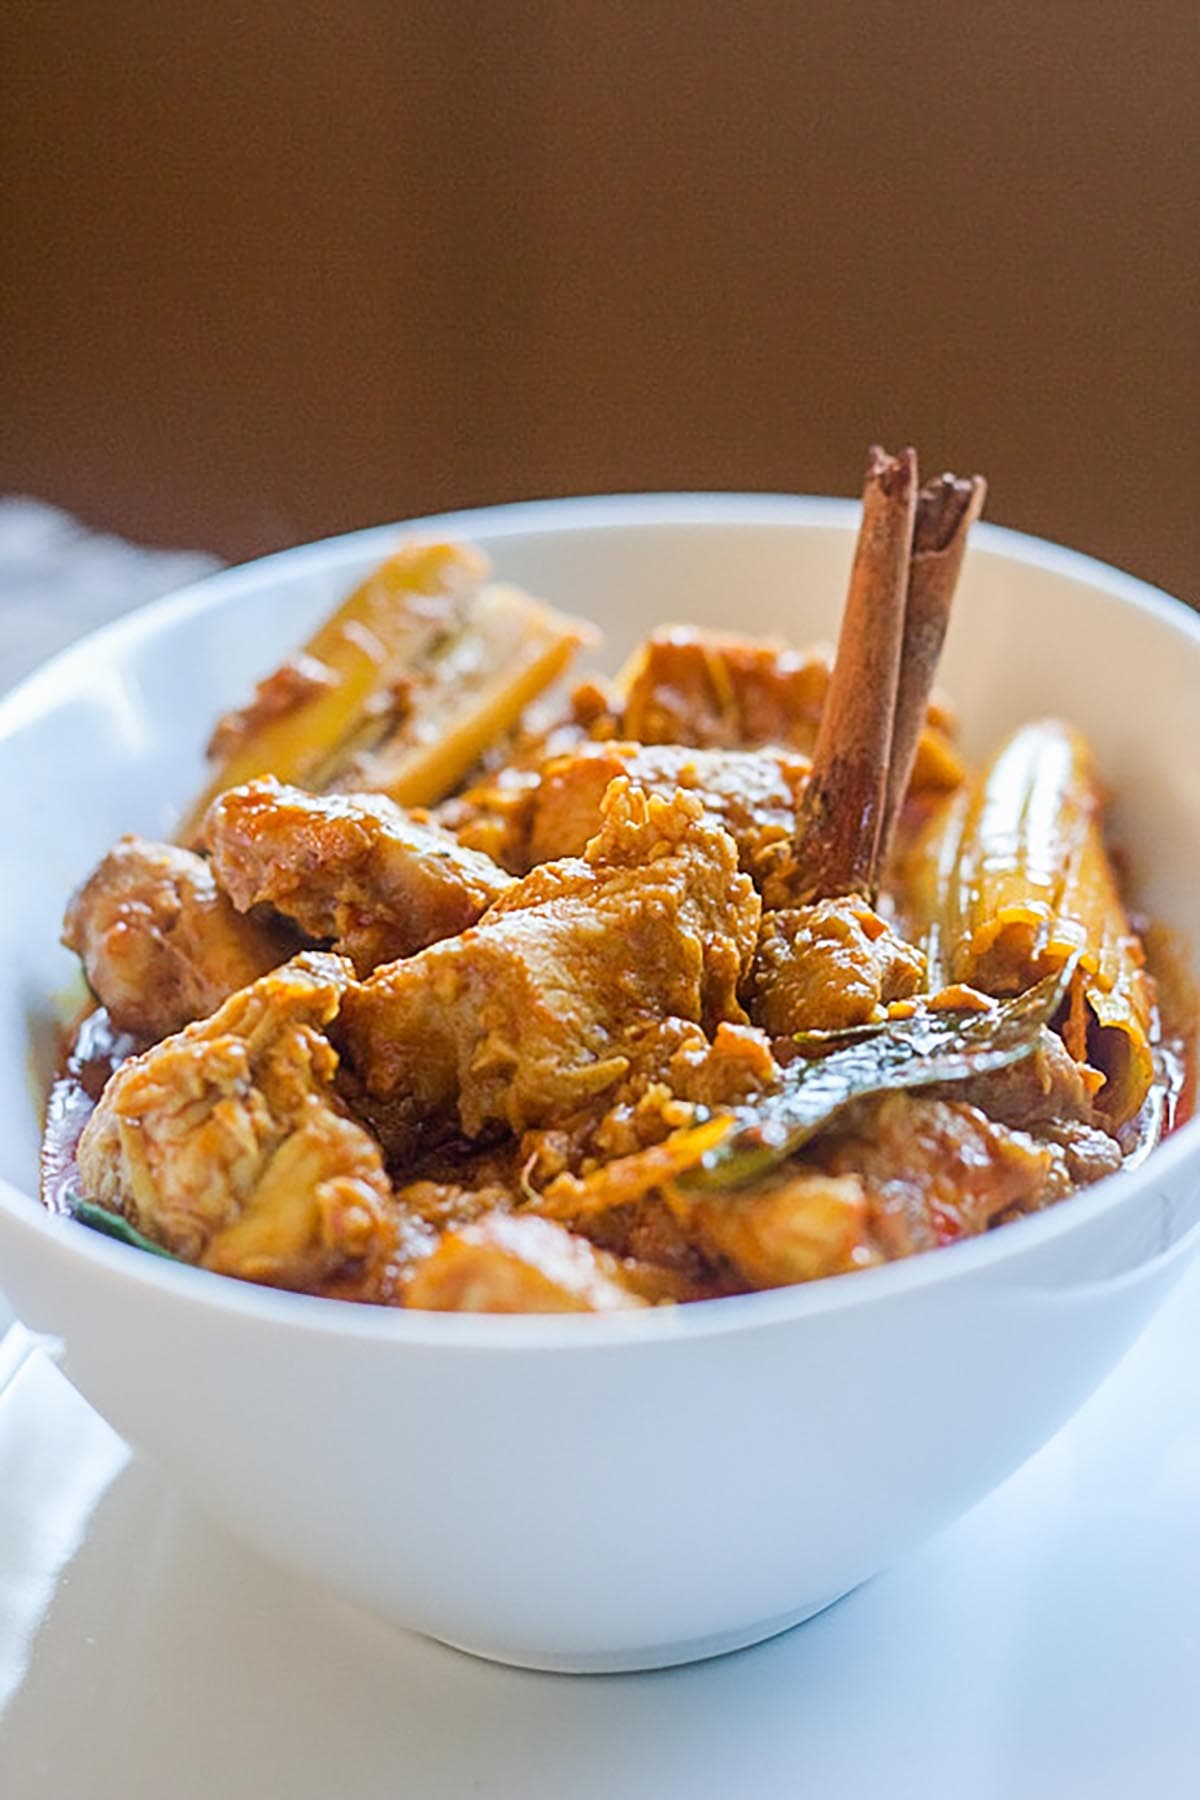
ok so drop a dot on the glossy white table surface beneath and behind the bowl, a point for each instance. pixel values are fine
(1044, 1648)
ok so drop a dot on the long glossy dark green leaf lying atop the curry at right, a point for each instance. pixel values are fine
(839, 1068)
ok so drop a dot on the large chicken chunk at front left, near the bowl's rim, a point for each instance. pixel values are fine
(229, 1147)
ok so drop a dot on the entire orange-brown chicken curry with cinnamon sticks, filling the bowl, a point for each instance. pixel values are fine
(721, 976)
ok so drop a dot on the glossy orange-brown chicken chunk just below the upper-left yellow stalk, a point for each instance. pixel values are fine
(352, 868)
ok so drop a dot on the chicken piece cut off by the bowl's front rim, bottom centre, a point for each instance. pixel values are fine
(505, 1264)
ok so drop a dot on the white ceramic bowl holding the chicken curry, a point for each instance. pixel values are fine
(632, 1491)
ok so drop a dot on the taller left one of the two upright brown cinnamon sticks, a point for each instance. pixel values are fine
(846, 798)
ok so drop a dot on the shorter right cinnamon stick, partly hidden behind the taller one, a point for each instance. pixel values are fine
(945, 512)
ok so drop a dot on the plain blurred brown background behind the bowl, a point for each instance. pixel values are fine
(280, 269)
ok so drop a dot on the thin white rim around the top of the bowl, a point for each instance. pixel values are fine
(706, 1318)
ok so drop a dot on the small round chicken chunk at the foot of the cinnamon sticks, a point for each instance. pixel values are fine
(828, 967)
